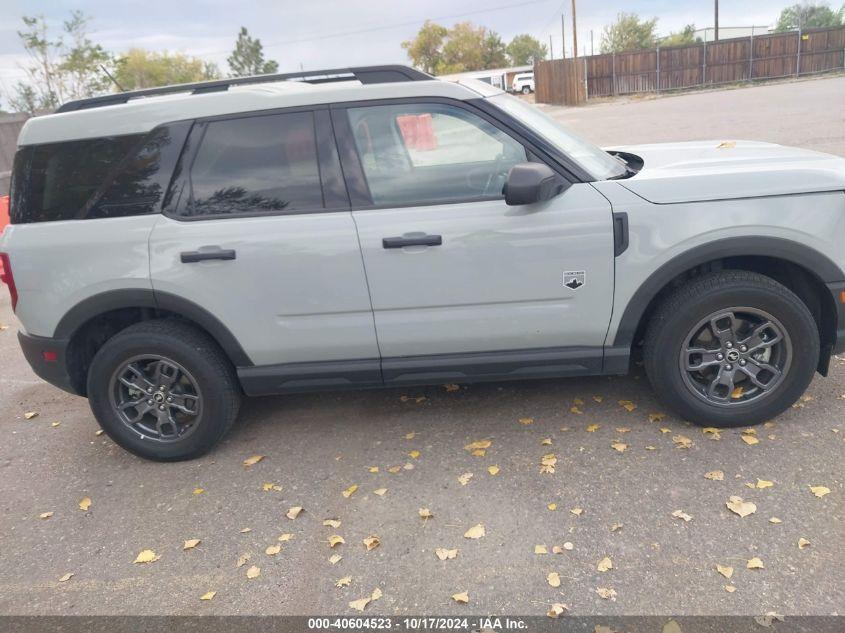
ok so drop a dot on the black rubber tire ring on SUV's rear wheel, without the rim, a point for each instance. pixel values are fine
(210, 426)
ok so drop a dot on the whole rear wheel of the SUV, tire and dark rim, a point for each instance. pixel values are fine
(198, 388)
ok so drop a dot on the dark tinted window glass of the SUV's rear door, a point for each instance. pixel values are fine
(256, 164)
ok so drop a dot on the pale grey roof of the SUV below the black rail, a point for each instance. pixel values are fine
(140, 115)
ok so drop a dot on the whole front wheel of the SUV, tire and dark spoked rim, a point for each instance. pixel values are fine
(755, 301)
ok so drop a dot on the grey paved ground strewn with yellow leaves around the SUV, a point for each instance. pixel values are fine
(607, 502)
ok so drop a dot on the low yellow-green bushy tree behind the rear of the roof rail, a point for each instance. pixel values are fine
(140, 68)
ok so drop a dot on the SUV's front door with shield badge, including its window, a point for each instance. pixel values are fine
(461, 283)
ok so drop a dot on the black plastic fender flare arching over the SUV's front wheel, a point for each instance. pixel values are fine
(808, 258)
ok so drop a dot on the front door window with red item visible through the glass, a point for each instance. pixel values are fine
(431, 153)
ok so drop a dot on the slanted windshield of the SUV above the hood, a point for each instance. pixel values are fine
(594, 160)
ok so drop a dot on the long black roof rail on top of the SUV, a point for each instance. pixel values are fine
(364, 74)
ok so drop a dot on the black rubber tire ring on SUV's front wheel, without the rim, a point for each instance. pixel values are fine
(667, 378)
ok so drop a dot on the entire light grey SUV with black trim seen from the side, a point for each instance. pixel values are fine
(174, 249)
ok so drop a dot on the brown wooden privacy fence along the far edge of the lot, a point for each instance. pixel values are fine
(770, 56)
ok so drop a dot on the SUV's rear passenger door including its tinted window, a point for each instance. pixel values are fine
(257, 231)
